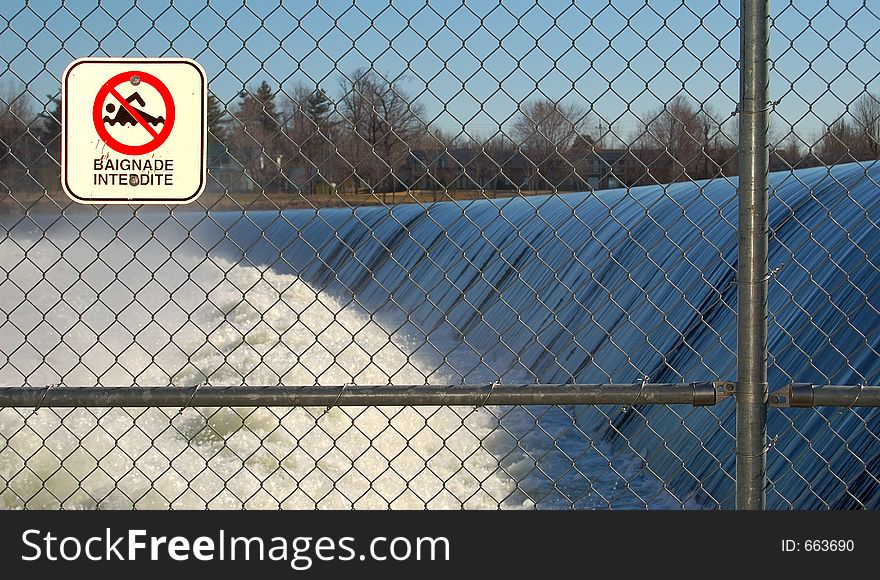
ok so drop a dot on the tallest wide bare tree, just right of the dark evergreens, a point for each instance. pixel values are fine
(381, 124)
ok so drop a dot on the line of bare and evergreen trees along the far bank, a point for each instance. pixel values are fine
(371, 136)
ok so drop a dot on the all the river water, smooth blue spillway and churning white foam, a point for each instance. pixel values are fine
(593, 287)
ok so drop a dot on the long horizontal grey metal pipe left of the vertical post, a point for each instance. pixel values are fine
(705, 393)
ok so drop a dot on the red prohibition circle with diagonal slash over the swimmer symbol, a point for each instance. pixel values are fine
(109, 88)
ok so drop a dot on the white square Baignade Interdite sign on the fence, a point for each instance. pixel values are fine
(133, 130)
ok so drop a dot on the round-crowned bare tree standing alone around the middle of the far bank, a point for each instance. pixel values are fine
(547, 131)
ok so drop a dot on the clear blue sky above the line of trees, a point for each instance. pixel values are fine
(470, 64)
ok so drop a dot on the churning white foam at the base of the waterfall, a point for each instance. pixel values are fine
(89, 314)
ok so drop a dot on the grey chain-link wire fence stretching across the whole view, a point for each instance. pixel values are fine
(475, 255)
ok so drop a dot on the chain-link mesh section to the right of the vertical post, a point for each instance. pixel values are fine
(823, 251)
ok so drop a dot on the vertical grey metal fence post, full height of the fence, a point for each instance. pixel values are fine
(751, 391)
